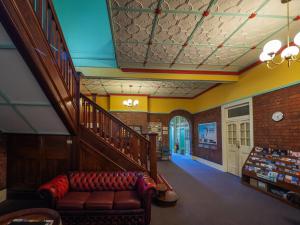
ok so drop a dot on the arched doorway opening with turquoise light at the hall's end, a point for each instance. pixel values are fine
(180, 135)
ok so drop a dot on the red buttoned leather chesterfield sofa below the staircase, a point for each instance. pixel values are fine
(101, 198)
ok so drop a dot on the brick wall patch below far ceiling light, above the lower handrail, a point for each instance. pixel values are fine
(134, 119)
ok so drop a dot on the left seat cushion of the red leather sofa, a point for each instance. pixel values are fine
(73, 200)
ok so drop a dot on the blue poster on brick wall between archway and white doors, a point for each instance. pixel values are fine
(207, 135)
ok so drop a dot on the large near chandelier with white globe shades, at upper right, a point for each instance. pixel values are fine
(289, 53)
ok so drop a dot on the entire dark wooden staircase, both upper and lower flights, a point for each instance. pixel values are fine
(103, 141)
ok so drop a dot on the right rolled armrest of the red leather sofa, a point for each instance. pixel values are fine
(146, 188)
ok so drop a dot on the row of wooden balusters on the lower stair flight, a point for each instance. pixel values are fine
(113, 131)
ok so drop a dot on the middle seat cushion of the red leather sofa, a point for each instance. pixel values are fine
(100, 200)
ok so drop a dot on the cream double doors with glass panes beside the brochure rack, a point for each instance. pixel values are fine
(238, 144)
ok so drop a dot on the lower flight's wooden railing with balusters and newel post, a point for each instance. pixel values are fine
(122, 144)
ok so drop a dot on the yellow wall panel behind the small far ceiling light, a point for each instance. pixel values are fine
(116, 103)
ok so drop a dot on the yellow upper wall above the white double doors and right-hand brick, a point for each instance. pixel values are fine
(256, 81)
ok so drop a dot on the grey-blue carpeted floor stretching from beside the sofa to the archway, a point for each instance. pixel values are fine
(210, 197)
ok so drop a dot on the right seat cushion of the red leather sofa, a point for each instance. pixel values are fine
(126, 200)
